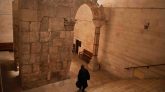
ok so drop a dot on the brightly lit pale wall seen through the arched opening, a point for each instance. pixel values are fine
(84, 28)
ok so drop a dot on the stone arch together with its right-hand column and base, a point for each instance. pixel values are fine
(98, 19)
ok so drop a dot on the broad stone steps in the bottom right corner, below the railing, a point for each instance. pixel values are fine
(145, 85)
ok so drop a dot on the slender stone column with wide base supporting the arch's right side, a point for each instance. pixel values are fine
(94, 65)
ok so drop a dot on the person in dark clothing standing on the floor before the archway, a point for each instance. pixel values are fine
(83, 76)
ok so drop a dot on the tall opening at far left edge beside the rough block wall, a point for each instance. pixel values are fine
(8, 68)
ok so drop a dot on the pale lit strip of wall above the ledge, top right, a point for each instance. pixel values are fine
(133, 3)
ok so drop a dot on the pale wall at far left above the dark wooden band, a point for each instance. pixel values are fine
(6, 30)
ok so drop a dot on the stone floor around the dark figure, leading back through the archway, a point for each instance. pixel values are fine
(97, 79)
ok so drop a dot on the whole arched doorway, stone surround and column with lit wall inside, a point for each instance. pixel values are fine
(88, 33)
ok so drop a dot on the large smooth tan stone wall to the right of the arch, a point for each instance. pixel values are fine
(124, 41)
